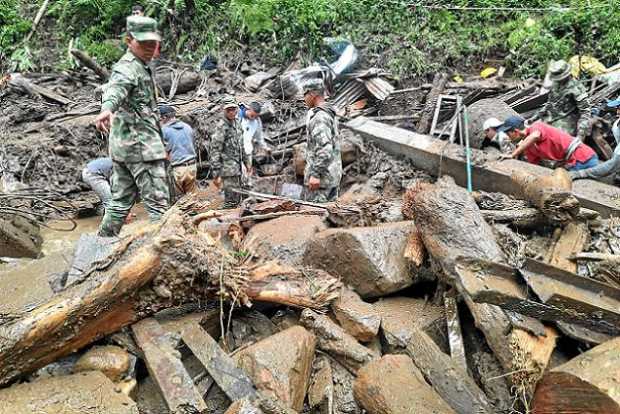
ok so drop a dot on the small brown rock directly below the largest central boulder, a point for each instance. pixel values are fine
(357, 317)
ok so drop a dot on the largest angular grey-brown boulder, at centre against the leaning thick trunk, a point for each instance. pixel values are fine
(369, 259)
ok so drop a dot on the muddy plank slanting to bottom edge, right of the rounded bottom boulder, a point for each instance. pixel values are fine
(448, 378)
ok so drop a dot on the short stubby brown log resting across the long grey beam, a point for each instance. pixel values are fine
(552, 194)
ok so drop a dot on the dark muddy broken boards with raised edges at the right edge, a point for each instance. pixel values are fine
(563, 300)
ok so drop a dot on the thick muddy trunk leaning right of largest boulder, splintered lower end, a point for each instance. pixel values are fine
(451, 226)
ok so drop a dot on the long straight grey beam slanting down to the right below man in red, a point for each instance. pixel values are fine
(429, 154)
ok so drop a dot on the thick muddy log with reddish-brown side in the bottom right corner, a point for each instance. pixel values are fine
(588, 383)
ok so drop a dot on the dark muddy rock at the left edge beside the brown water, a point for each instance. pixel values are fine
(19, 238)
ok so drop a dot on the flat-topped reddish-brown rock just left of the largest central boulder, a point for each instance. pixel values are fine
(283, 239)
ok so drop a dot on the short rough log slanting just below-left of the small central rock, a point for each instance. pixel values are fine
(336, 342)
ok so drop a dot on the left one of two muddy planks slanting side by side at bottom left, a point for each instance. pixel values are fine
(171, 377)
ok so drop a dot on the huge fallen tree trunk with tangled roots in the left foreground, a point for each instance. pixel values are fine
(164, 265)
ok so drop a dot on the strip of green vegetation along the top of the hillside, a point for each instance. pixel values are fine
(408, 40)
